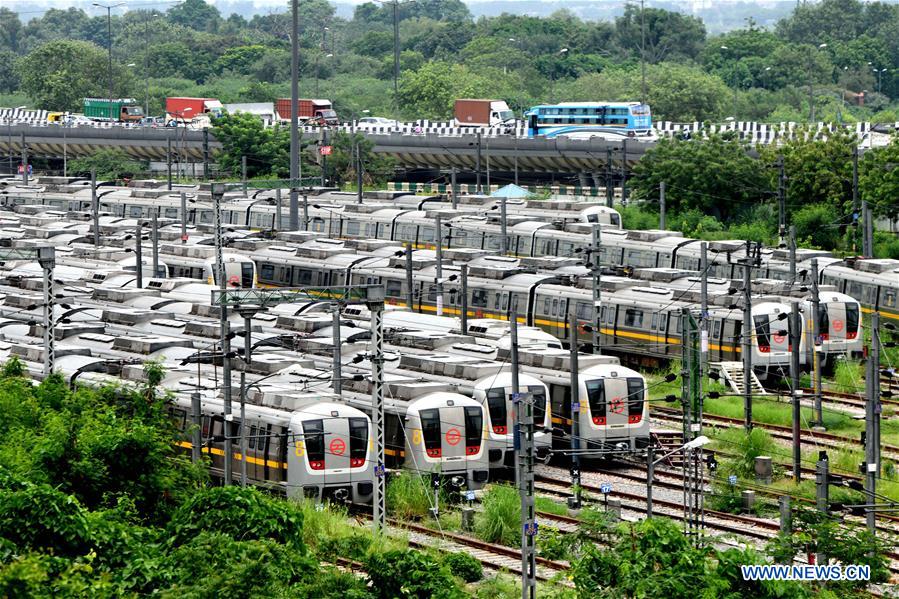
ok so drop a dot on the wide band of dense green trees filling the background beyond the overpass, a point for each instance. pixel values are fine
(193, 49)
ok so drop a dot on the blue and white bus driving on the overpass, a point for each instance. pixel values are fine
(630, 119)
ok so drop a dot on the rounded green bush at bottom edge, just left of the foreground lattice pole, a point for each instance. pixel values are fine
(410, 574)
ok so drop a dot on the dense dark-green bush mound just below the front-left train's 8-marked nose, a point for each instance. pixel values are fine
(242, 514)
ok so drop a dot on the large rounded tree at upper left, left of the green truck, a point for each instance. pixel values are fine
(60, 74)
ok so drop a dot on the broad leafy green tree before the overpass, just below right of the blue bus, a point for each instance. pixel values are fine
(715, 176)
